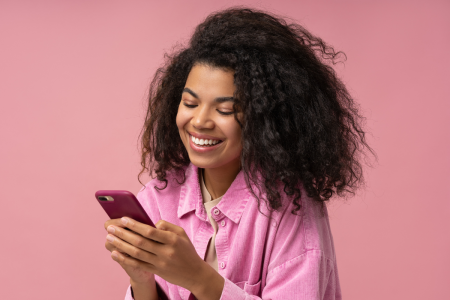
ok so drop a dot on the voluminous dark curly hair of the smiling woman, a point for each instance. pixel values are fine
(300, 126)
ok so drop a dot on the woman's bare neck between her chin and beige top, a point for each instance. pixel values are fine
(218, 180)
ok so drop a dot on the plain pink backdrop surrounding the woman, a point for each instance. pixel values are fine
(73, 80)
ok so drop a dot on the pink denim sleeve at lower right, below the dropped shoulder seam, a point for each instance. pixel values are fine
(310, 276)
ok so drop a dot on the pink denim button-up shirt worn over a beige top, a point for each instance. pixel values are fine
(283, 257)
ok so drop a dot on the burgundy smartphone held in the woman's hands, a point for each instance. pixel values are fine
(118, 204)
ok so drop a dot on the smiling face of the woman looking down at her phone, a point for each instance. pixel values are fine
(205, 118)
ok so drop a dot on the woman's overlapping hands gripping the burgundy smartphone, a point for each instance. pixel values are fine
(165, 251)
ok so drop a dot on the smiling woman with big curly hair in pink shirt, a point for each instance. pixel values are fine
(248, 132)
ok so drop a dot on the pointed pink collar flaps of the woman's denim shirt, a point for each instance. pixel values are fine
(232, 204)
